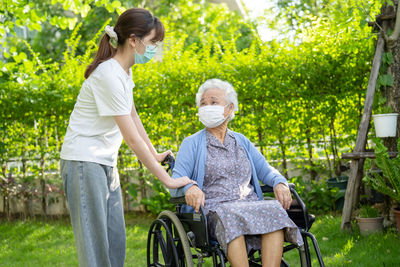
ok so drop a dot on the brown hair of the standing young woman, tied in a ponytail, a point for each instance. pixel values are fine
(137, 21)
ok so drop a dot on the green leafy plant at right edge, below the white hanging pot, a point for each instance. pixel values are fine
(389, 182)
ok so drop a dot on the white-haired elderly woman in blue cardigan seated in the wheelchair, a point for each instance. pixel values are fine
(227, 168)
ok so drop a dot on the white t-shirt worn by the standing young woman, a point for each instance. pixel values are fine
(92, 134)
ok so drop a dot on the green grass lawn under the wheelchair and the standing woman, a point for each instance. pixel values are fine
(51, 243)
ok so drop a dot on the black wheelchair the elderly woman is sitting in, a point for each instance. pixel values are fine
(176, 239)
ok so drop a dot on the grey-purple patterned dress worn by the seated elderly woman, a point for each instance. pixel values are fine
(231, 204)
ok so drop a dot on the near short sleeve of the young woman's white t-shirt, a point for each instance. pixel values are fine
(109, 94)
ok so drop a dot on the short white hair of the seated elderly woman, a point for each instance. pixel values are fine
(230, 93)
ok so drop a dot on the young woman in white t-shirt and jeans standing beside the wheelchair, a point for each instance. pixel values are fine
(103, 115)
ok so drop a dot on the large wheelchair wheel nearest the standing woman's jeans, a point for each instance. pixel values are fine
(167, 243)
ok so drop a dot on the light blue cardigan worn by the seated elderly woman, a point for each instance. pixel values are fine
(191, 162)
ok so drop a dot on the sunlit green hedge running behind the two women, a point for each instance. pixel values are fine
(292, 97)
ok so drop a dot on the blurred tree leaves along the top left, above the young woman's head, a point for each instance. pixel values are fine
(47, 24)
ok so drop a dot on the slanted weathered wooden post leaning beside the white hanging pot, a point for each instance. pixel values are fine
(356, 166)
